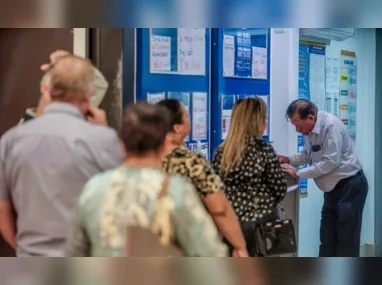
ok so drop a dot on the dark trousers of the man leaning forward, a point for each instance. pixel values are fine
(341, 219)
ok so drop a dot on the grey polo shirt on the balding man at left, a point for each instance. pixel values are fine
(44, 165)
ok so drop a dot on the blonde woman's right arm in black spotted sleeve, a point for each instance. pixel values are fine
(274, 177)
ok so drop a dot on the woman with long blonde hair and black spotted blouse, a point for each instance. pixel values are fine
(249, 168)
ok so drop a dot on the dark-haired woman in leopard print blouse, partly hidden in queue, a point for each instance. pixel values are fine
(180, 160)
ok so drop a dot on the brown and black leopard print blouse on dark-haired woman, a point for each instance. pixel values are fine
(195, 168)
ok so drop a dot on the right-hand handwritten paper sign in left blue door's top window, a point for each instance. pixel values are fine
(192, 51)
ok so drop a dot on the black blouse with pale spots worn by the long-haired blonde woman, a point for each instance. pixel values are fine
(256, 184)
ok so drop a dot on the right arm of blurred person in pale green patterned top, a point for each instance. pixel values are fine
(194, 228)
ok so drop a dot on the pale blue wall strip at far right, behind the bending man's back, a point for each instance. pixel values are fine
(365, 48)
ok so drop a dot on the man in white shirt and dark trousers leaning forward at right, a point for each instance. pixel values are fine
(335, 168)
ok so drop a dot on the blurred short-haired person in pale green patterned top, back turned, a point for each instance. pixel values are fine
(128, 196)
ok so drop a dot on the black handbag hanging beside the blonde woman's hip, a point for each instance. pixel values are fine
(275, 237)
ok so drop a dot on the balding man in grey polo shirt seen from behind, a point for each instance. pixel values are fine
(45, 162)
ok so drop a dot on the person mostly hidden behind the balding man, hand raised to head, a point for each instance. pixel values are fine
(100, 86)
